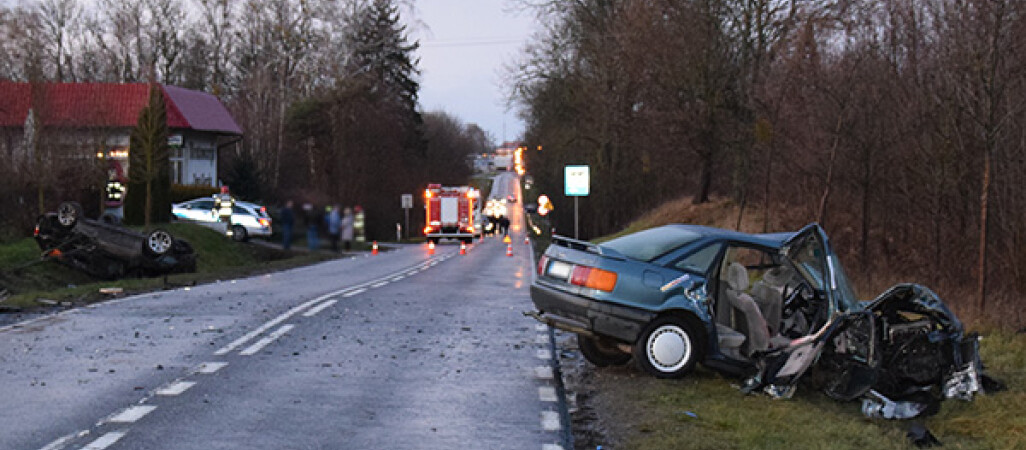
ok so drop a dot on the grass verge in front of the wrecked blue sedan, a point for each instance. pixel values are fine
(654, 414)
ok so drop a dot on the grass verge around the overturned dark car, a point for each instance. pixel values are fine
(218, 258)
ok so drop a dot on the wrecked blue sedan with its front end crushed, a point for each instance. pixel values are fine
(668, 297)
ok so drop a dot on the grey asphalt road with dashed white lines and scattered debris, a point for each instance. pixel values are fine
(400, 350)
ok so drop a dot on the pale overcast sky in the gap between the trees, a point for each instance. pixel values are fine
(465, 48)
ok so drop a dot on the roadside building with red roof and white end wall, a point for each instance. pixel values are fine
(96, 120)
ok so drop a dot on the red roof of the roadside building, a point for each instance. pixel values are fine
(103, 105)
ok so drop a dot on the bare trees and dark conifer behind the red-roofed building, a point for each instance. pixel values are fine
(325, 91)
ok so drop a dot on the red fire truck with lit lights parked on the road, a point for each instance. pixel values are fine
(450, 213)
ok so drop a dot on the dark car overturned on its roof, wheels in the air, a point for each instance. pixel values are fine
(109, 251)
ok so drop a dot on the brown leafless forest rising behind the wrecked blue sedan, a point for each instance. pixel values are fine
(897, 125)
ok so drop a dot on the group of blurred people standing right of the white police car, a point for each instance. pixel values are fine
(338, 224)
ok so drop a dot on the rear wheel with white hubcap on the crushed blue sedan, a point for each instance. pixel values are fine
(669, 348)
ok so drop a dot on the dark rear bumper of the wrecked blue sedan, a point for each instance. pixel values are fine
(574, 313)
